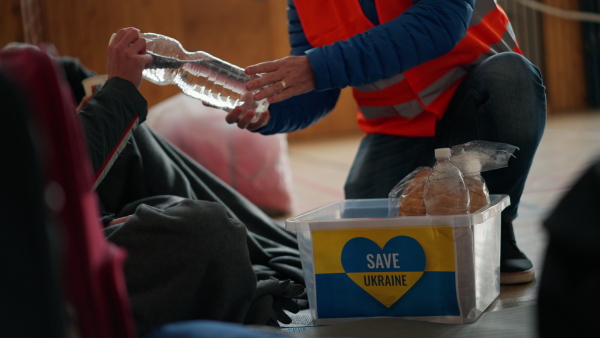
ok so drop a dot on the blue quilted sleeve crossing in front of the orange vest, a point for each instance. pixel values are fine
(426, 30)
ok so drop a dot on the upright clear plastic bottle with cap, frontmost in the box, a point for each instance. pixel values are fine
(445, 189)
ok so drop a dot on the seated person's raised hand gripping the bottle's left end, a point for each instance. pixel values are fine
(126, 56)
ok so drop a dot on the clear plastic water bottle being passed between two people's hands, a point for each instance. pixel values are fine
(215, 82)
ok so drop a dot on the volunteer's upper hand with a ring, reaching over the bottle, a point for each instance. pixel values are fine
(281, 79)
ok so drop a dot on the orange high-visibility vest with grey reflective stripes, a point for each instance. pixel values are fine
(410, 103)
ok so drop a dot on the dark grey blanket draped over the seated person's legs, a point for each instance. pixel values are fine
(187, 257)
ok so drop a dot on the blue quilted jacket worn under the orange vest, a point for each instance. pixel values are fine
(425, 31)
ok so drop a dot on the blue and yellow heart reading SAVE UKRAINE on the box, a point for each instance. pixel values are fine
(385, 273)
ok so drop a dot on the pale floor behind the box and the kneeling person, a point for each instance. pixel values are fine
(569, 144)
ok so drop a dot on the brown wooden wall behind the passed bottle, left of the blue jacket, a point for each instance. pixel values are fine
(229, 29)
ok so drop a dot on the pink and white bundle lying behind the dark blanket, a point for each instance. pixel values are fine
(255, 165)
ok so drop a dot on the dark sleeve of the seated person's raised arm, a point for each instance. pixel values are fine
(109, 120)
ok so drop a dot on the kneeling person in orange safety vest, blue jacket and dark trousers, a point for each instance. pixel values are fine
(425, 74)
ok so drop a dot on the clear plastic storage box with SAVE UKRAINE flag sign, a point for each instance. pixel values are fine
(359, 263)
